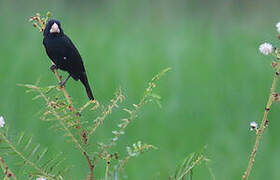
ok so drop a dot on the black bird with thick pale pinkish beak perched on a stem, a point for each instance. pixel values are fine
(64, 54)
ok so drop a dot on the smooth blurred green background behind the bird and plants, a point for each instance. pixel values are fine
(218, 84)
